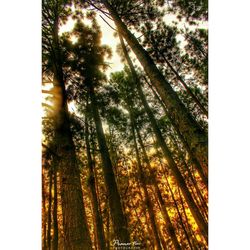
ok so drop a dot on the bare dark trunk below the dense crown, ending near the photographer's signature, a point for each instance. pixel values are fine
(117, 215)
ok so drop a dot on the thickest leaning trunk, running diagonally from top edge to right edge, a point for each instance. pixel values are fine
(192, 132)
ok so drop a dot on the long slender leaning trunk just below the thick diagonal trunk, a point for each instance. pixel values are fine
(171, 163)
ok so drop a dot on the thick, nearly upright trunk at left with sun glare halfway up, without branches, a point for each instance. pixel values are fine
(76, 234)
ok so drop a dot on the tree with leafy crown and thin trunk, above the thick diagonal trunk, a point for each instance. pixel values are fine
(162, 46)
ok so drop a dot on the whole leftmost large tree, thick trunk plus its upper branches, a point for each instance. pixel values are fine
(74, 221)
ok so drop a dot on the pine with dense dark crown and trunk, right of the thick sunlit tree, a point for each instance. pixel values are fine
(87, 59)
